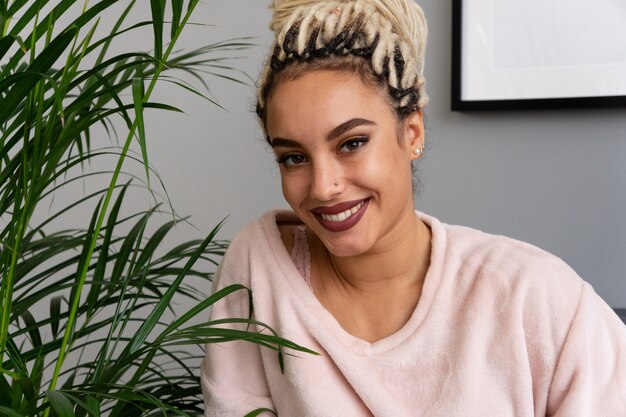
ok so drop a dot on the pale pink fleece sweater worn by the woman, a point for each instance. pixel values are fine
(501, 329)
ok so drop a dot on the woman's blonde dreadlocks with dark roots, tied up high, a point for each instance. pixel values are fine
(384, 41)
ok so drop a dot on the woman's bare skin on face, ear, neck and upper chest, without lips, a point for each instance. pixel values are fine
(370, 276)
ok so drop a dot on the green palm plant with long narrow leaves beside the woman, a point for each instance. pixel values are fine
(86, 326)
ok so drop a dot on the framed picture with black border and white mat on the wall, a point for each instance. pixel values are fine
(511, 54)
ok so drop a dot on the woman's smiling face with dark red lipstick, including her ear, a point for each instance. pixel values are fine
(344, 172)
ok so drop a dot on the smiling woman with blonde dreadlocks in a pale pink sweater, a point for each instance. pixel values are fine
(411, 317)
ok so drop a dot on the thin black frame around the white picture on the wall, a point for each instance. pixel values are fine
(458, 104)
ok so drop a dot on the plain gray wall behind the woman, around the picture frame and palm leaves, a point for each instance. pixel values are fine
(553, 178)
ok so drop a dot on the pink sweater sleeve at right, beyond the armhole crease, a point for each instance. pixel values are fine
(590, 377)
